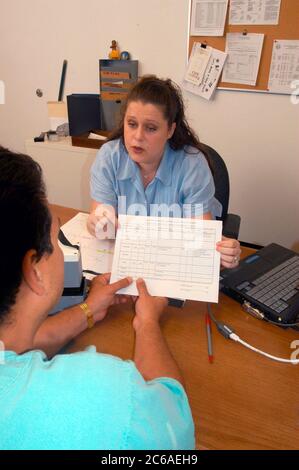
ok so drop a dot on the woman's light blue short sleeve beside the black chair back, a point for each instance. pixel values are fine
(198, 188)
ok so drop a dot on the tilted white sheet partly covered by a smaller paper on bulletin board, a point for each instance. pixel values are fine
(211, 76)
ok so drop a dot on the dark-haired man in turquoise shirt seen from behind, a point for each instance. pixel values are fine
(83, 400)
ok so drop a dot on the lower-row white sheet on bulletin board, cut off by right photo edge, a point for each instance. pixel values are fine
(284, 72)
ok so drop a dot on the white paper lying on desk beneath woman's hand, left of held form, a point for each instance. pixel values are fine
(96, 254)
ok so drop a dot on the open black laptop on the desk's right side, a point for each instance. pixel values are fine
(267, 282)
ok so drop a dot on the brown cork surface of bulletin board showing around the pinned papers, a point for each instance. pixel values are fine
(287, 28)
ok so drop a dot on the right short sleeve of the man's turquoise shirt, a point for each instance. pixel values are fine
(161, 416)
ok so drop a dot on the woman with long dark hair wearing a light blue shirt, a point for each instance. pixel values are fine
(155, 160)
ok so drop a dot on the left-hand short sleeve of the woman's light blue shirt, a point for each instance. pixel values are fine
(102, 177)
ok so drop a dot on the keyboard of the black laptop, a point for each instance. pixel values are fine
(276, 287)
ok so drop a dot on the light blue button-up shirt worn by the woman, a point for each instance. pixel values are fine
(183, 185)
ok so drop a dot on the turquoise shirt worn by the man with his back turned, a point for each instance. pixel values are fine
(88, 400)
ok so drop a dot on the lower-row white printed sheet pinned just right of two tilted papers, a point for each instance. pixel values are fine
(244, 55)
